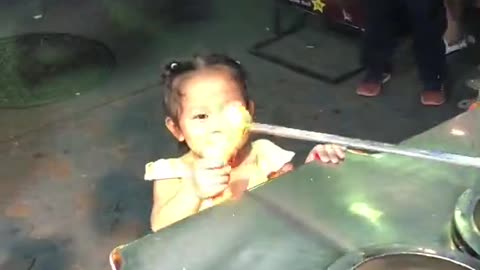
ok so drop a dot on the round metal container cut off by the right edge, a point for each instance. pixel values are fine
(466, 223)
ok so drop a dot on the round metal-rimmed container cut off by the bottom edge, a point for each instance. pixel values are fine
(396, 258)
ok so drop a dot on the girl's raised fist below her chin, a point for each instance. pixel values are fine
(209, 180)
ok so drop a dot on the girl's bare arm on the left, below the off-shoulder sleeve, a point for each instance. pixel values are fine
(173, 200)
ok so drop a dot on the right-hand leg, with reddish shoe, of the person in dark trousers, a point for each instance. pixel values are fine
(428, 20)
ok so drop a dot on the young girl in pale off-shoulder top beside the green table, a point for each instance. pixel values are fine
(195, 94)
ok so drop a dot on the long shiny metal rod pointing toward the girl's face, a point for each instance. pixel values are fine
(318, 137)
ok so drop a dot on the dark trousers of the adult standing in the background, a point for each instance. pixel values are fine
(386, 20)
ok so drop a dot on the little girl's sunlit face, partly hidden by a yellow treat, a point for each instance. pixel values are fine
(205, 94)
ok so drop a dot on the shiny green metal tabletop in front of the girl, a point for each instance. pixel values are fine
(310, 218)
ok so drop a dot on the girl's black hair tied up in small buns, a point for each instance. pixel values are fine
(175, 72)
